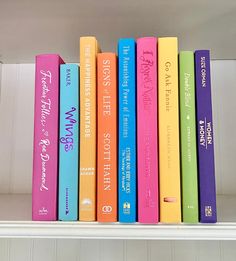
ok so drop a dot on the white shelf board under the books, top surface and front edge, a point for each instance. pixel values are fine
(15, 222)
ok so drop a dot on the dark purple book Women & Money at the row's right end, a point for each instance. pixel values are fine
(206, 166)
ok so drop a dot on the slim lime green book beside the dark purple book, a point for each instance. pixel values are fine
(189, 173)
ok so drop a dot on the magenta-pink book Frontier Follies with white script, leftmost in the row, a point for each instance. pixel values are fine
(45, 153)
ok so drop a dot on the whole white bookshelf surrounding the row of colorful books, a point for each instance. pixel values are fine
(28, 28)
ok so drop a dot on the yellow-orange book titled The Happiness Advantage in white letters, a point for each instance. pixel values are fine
(87, 183)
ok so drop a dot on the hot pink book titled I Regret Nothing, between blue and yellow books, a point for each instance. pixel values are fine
(147, 130)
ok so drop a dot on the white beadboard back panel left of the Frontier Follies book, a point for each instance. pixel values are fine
(16, 128)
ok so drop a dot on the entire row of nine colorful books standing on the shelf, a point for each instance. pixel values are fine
(127, 139)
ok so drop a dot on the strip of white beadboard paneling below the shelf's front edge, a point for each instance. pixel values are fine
(79, 250)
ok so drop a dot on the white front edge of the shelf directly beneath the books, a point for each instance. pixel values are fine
(94, 230)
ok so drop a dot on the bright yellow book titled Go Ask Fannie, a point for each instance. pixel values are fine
(169, 158)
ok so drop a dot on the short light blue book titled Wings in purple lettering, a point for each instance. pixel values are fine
(69, 142)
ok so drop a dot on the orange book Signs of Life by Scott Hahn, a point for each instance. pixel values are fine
(106, 138)
